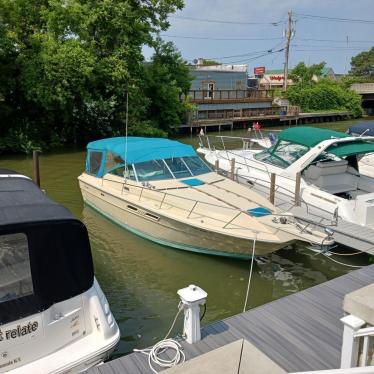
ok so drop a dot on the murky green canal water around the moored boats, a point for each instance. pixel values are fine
(140, 278)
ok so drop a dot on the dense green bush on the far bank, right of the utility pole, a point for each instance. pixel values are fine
(324, 95)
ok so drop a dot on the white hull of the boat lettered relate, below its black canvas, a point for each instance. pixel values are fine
(90, 335)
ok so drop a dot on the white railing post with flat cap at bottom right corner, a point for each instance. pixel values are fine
(350, 344)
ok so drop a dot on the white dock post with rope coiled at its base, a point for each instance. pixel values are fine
(192, 297)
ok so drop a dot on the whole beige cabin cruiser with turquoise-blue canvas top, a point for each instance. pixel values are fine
(161, 190)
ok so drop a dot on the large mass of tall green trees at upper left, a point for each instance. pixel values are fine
(66, 66)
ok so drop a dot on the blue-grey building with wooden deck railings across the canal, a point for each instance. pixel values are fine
(221, 96)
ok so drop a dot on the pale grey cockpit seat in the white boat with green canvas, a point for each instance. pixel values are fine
(332, 176)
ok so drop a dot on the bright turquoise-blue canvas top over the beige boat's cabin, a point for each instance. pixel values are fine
(141, 149)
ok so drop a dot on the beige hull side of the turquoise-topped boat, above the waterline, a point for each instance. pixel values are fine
(171, 232)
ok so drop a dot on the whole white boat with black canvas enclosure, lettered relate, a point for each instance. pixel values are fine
(54, 317)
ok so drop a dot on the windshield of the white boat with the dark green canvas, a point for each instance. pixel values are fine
(282, 154)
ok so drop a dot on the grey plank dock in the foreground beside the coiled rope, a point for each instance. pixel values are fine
(298, 332)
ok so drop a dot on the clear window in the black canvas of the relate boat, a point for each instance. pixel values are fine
(15, 272)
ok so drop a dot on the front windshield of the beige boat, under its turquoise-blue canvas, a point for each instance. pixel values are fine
(170, 168)
